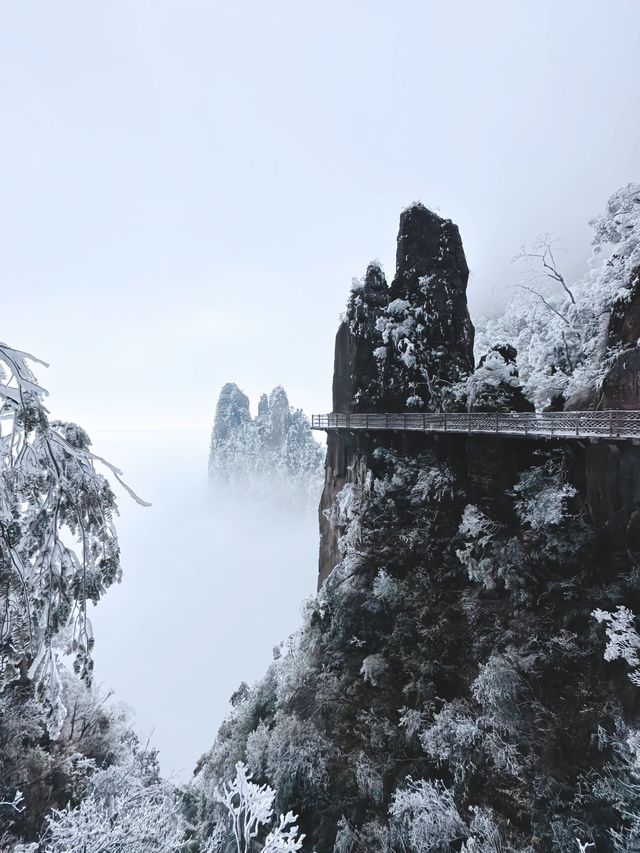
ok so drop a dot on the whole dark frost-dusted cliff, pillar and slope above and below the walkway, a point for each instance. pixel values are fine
(448, 690)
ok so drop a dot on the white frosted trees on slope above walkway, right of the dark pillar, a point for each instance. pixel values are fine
(561, 337)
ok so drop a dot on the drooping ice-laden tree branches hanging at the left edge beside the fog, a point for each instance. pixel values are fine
(59, 548)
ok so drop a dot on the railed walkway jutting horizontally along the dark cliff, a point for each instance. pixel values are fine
(617, 425)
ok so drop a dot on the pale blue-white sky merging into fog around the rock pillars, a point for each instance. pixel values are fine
(187, 190)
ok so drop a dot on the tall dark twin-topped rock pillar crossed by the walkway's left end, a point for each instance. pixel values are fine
(399, 347)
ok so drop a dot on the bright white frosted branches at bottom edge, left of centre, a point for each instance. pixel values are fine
(249, 809)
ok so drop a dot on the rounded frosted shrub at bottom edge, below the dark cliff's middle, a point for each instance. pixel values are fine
(424, 818)
